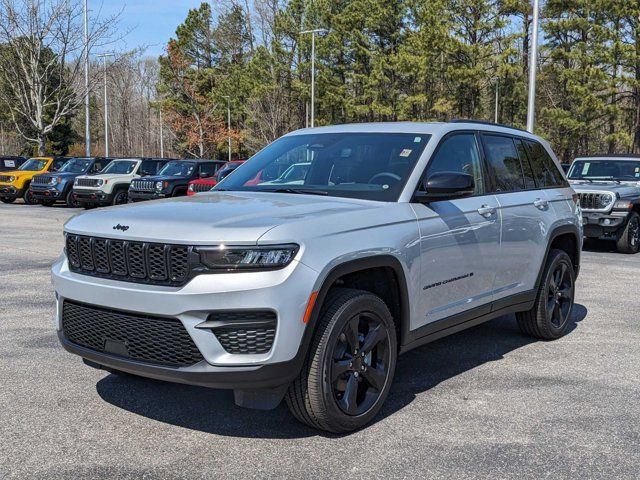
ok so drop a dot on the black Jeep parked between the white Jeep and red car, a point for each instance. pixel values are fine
(173, 180)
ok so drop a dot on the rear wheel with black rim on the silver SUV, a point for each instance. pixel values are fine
(551, 313)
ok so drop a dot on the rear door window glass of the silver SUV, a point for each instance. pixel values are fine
(504, 163)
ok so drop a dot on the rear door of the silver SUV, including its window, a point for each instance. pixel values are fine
(525, 212)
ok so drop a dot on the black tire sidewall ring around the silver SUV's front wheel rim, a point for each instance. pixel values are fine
(363, 303)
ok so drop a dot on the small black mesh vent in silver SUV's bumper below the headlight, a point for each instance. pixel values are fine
(244, 332)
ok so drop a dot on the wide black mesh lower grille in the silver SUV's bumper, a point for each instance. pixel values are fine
(155, 340)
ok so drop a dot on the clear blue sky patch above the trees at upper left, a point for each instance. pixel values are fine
(149, 23)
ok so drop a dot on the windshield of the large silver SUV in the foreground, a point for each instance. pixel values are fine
(357, 165)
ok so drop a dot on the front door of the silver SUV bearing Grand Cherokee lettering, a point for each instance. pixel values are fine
(459, 239)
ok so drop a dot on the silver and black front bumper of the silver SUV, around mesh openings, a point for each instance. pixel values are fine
(284, 291)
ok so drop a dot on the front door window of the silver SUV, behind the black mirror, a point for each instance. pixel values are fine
(459, 153)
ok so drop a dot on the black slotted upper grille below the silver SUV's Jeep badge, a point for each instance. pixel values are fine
(139, 262)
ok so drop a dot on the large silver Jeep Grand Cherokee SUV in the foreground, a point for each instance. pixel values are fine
(399, 234)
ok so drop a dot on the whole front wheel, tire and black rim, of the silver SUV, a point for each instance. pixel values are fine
(349, 397)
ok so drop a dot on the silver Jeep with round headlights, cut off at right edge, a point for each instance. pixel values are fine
(609, 190)
